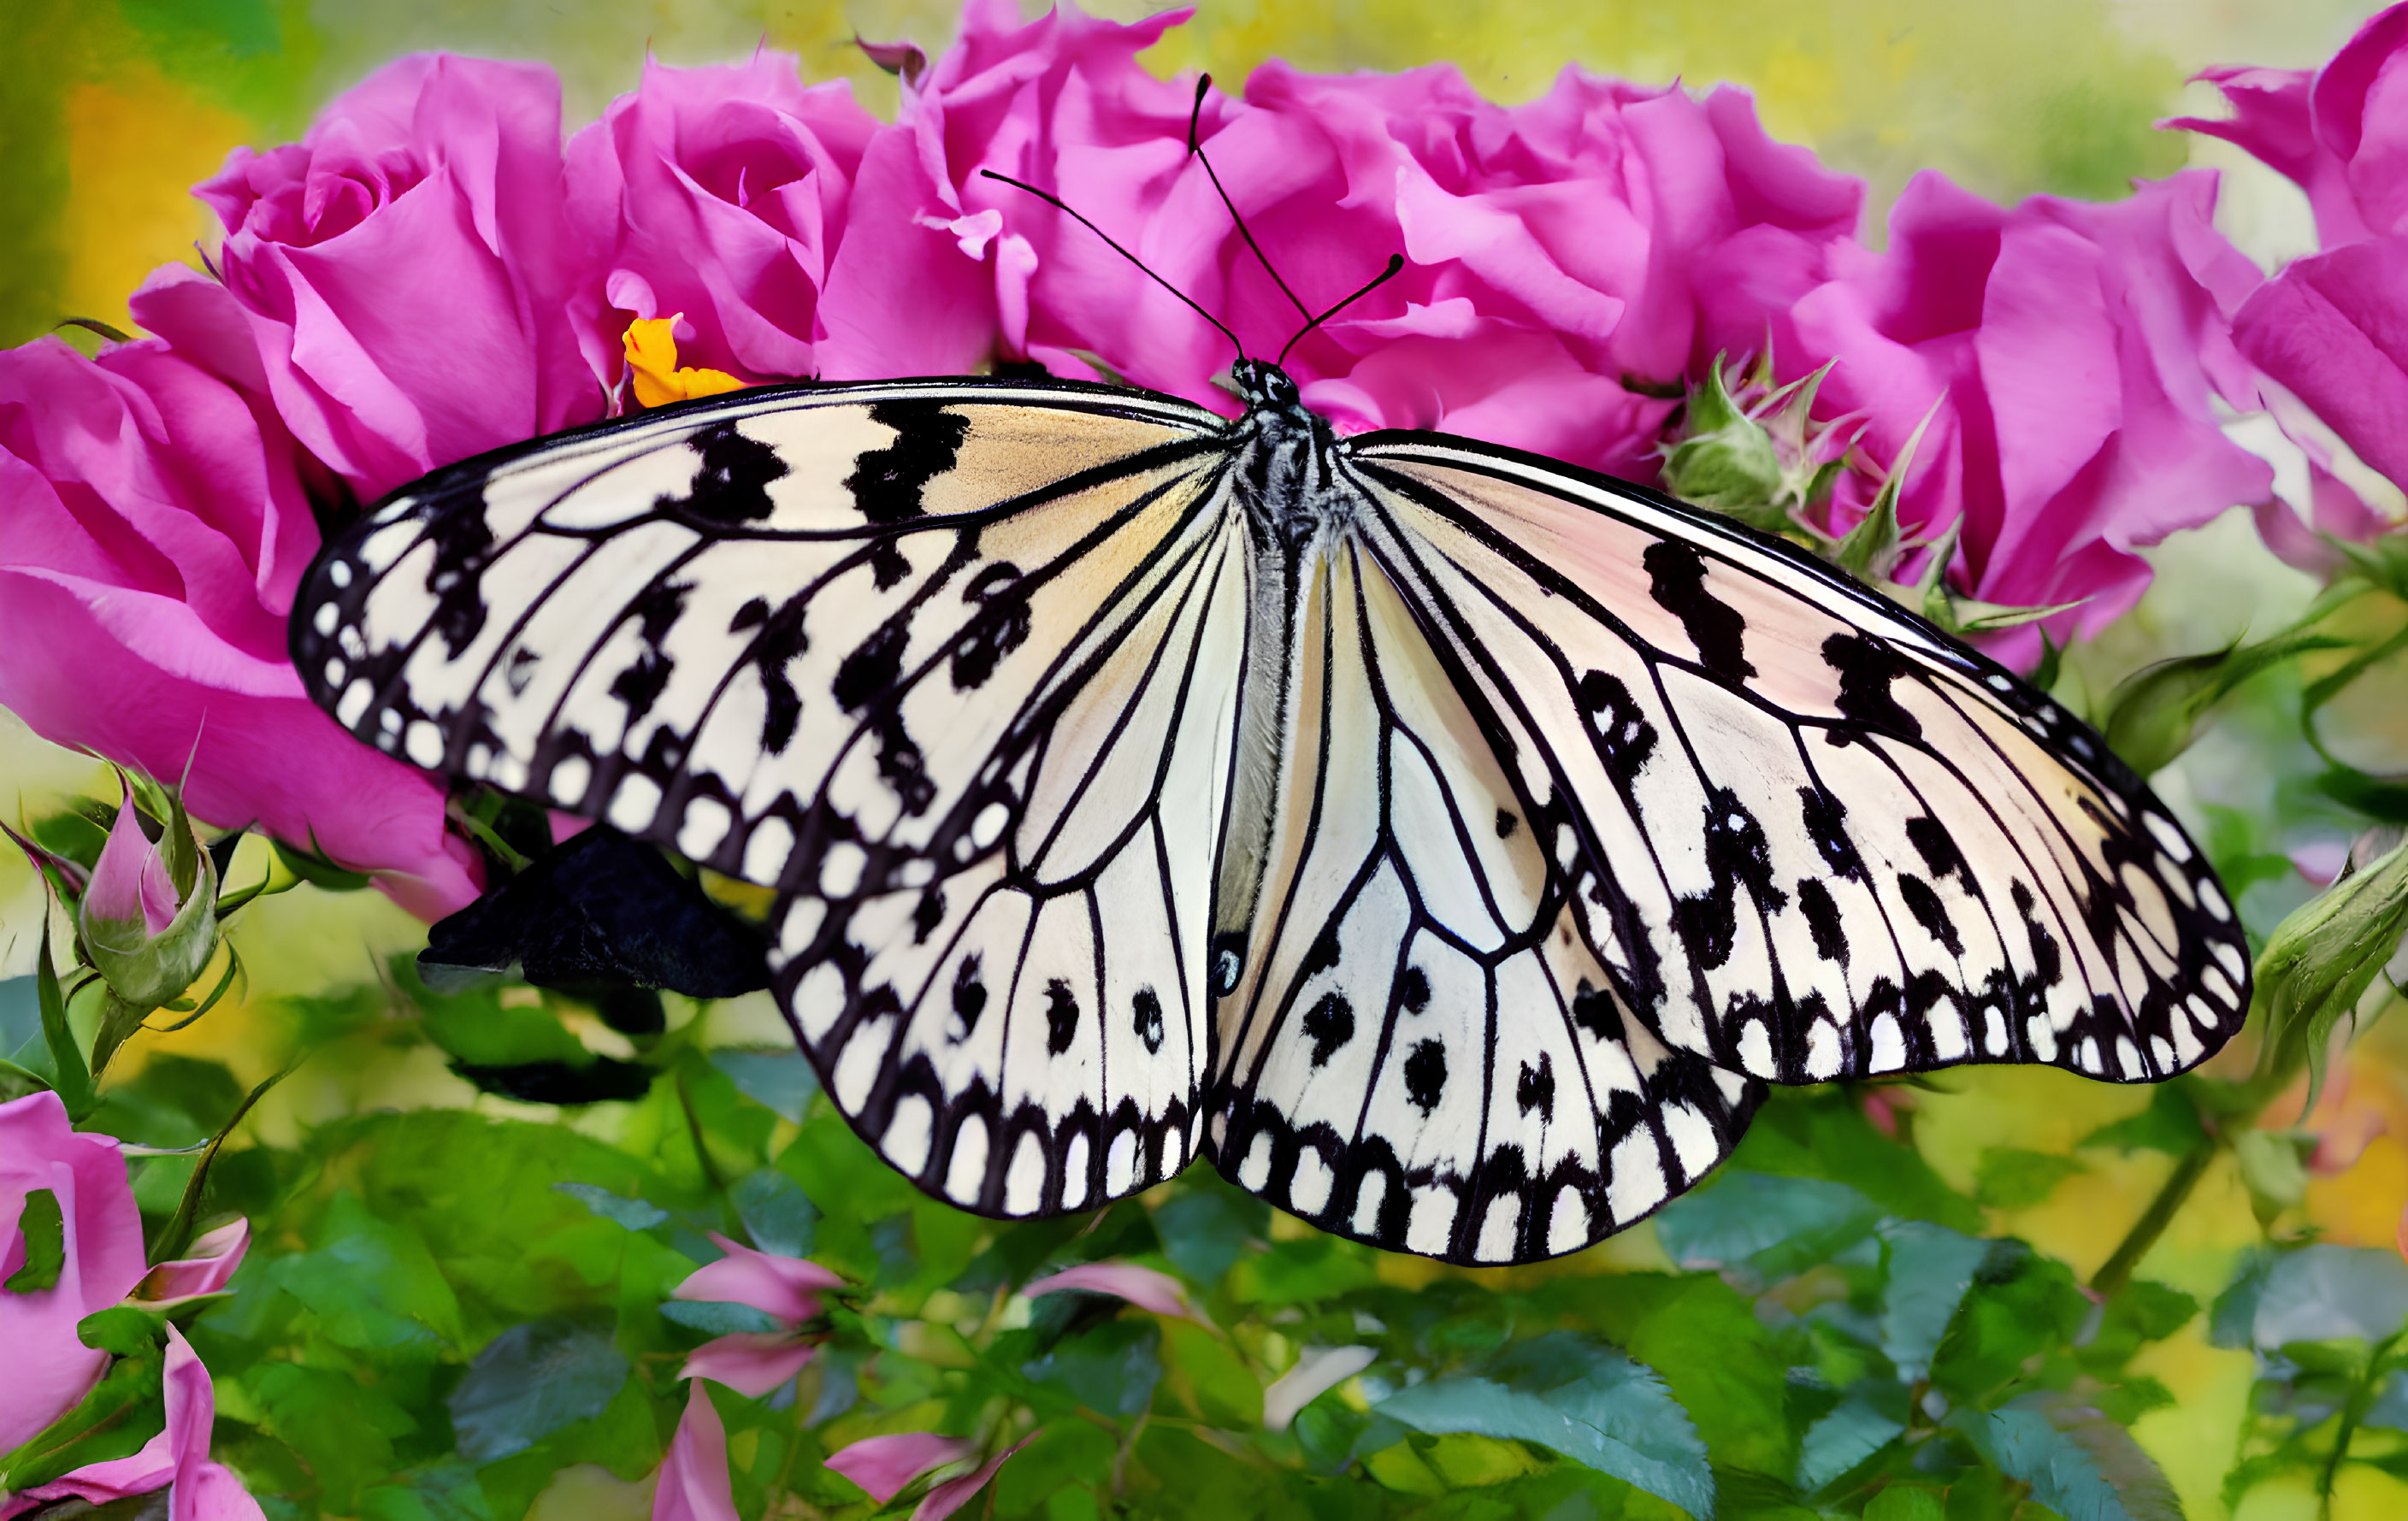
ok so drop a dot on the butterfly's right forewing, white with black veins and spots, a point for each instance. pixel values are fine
(1831, 841)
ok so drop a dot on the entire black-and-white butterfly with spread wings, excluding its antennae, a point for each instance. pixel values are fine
(1446, 841)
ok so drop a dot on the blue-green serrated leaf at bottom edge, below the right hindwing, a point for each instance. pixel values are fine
(1581, 1399)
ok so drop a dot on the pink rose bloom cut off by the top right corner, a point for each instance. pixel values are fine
(2332, 331)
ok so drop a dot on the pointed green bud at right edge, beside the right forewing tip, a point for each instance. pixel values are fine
(2320, 964)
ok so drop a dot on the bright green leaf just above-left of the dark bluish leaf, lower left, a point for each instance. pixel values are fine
(374, 1284)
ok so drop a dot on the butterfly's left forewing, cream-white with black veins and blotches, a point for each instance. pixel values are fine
(784, 632)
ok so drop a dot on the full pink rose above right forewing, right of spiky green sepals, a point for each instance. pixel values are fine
(2072, 360)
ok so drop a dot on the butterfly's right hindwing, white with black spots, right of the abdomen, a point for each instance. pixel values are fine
(1424, 1053)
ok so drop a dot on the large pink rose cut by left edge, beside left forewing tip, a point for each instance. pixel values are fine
(153, 531)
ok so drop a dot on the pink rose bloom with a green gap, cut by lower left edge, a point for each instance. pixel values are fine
(93, 1212)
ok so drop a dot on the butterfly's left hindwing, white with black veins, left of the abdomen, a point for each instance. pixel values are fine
(1022, 1036)
